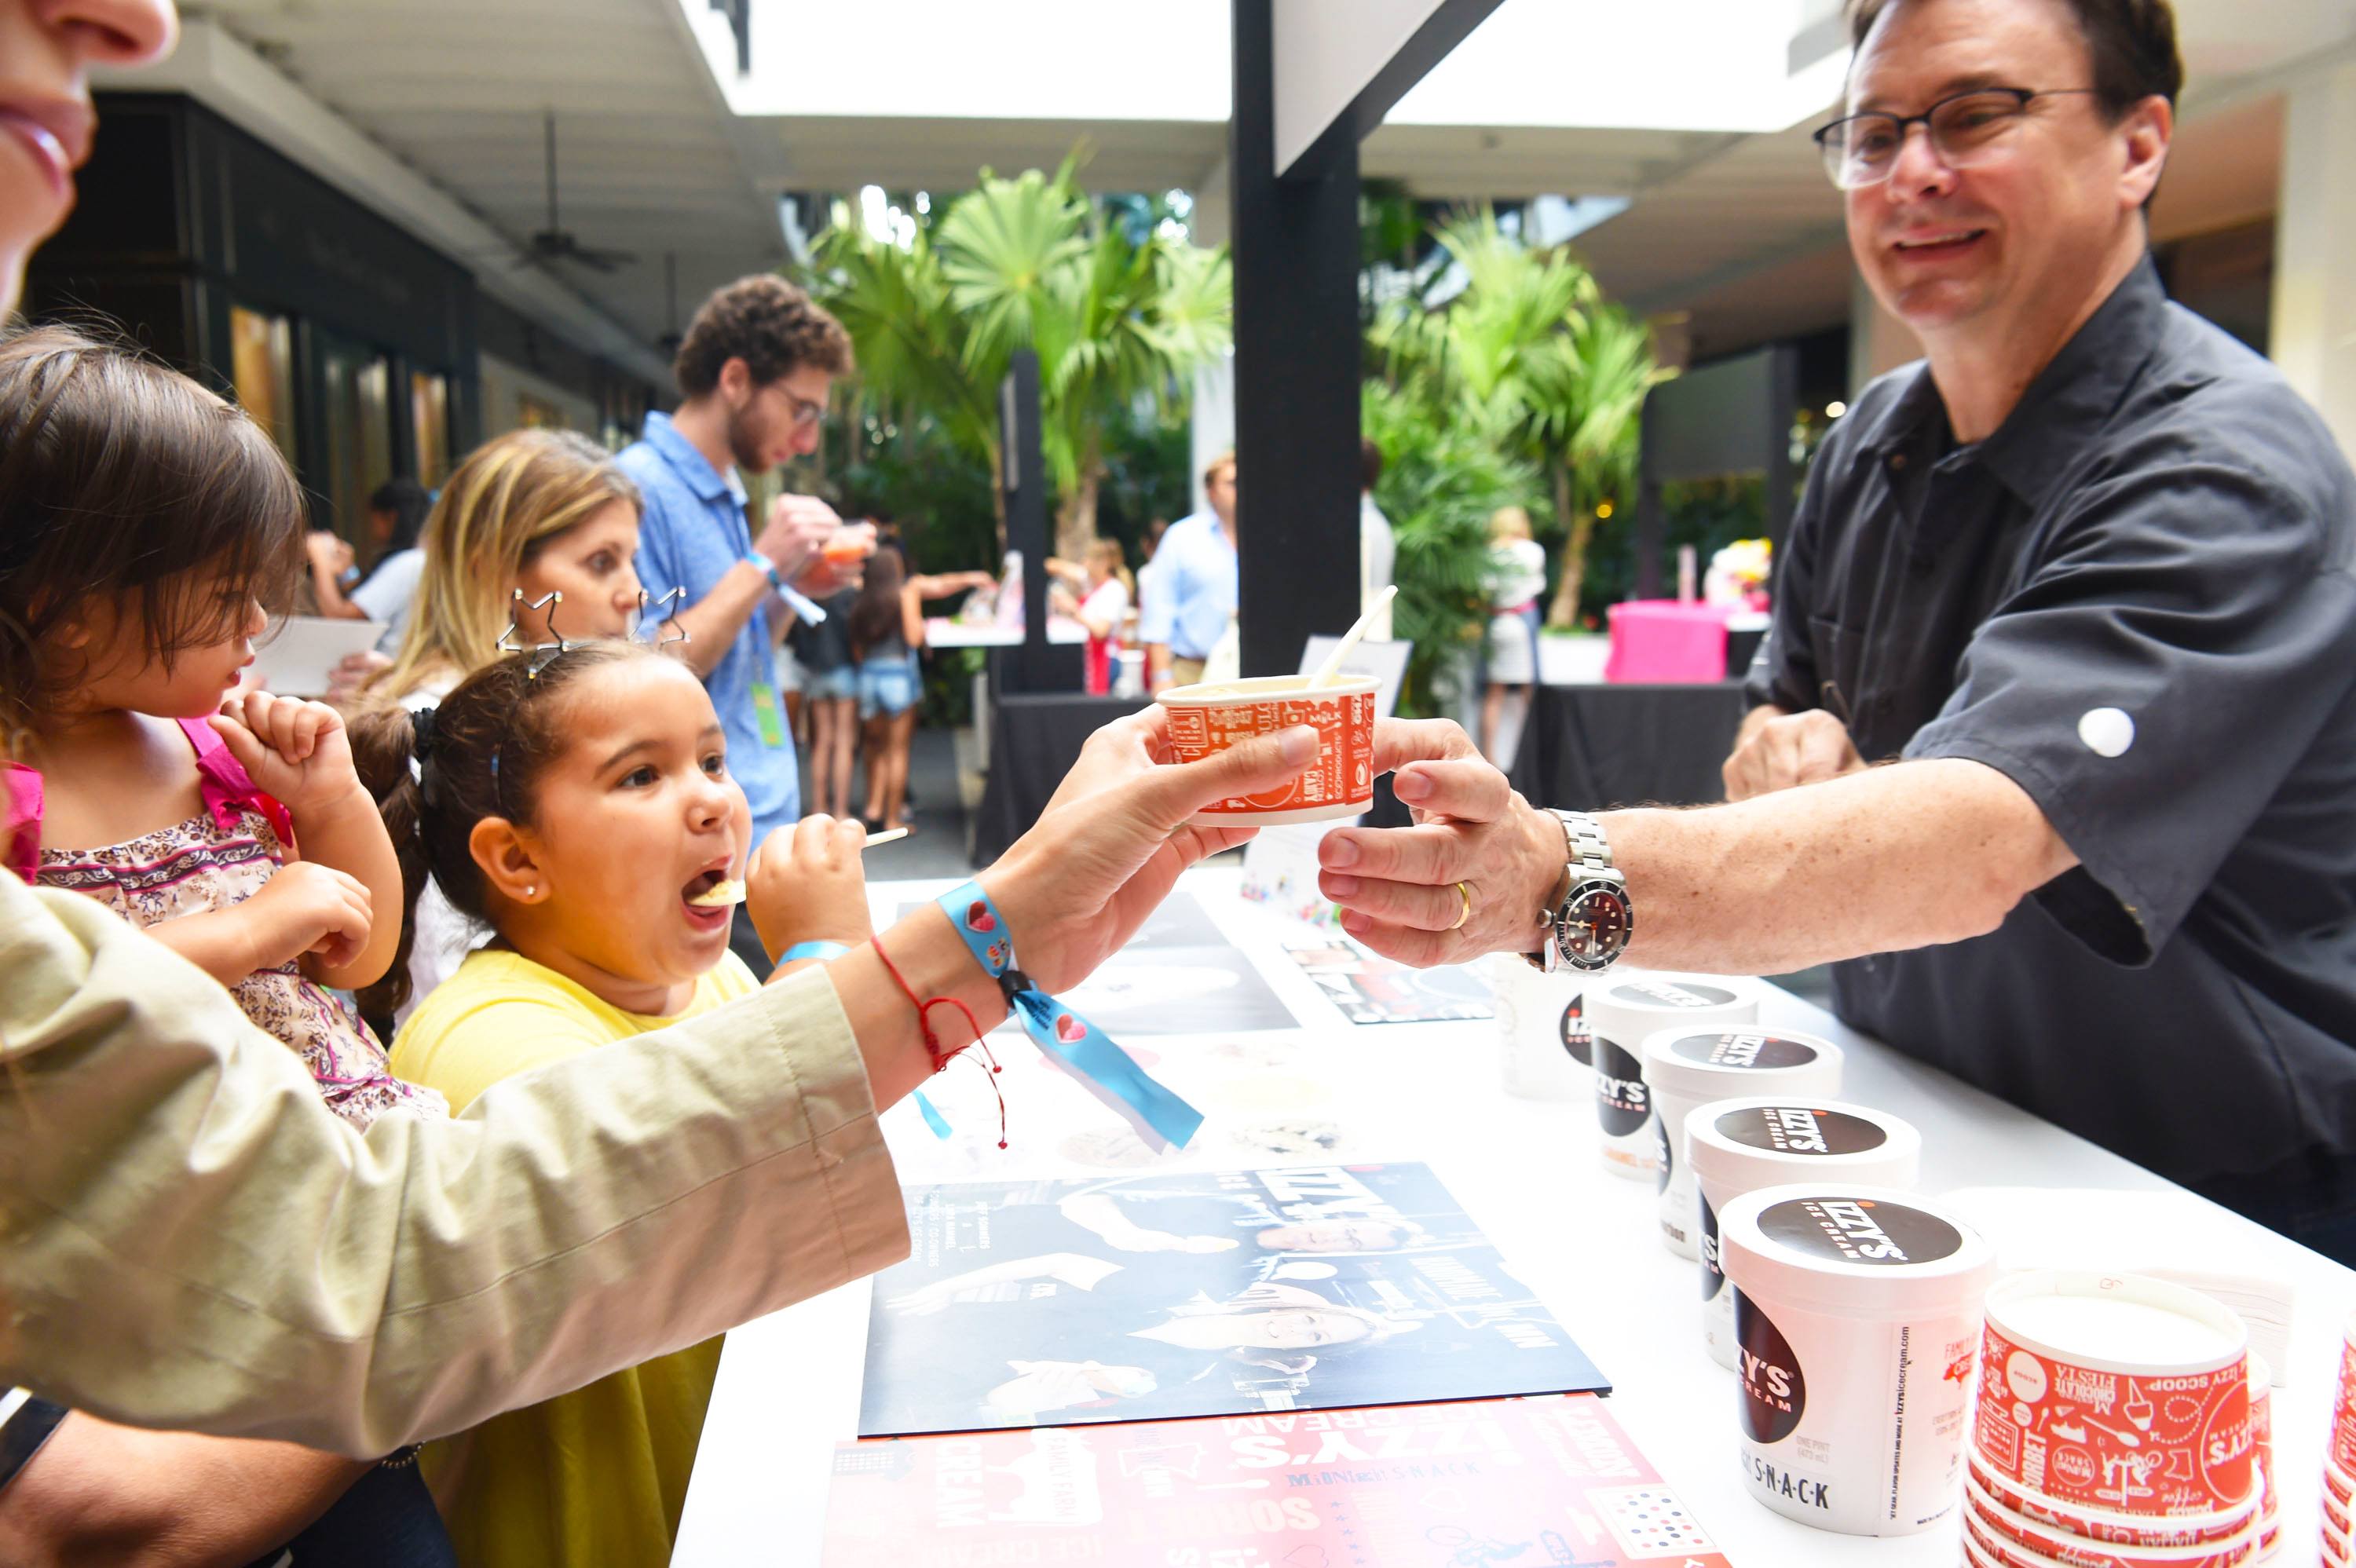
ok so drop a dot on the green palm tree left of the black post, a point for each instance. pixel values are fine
(1028, 263)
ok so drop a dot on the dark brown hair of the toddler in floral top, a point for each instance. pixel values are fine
(128, 481)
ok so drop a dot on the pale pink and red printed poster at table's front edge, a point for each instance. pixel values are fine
(1504, 1482)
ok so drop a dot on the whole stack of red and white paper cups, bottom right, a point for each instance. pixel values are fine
(2115, 1426)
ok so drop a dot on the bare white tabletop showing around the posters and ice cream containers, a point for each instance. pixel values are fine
(1528, 1174)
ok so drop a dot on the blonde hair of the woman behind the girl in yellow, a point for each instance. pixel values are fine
(496, 514)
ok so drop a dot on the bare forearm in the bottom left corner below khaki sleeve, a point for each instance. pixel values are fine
(102, 1494)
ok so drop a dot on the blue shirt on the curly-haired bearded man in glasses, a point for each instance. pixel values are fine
(689, 536)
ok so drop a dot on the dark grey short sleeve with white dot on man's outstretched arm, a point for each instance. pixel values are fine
(2155, 682)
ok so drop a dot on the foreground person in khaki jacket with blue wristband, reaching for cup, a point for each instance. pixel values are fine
(171, 1174)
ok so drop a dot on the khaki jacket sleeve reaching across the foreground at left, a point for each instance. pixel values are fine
(192, 1240)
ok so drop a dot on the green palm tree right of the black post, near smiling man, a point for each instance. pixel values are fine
(1535, 357)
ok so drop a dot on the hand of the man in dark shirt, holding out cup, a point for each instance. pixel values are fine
(1467, 879)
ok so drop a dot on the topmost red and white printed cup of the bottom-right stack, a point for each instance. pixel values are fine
(2067, 1414)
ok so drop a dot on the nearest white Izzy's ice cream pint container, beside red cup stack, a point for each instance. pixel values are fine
(1858, 1322)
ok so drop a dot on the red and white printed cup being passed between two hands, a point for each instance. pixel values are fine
(1207, 719)
